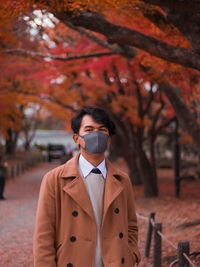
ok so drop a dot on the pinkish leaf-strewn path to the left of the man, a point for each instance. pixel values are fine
(18, 217)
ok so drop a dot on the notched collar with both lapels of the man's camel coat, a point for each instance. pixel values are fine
(76, 188)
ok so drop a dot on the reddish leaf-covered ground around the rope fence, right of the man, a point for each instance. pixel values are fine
(171, 212)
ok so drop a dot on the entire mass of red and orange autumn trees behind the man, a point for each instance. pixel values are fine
(137, 60)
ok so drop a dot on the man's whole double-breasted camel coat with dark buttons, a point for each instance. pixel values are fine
(65, 232)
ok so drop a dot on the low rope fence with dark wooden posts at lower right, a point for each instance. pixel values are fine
(183, 254)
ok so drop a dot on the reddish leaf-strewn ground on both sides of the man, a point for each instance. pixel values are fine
(19, 208)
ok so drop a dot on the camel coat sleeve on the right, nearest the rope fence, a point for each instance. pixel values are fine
(132, 224)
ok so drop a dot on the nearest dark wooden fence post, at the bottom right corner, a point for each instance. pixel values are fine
(183, 247)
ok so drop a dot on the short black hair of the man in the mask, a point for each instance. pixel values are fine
(99, 115)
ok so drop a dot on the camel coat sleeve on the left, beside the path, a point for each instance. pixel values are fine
(44, 236)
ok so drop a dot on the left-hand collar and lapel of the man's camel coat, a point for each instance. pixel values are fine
(75, 188)
